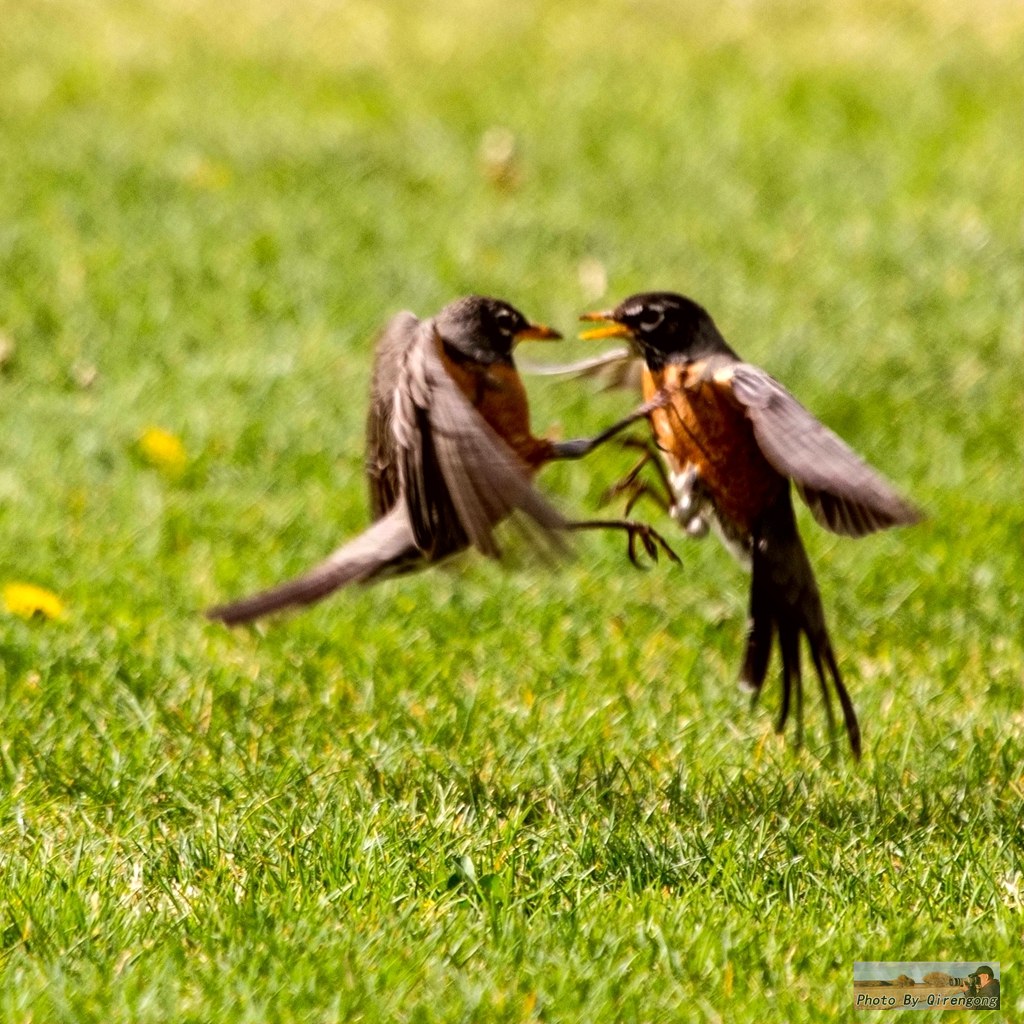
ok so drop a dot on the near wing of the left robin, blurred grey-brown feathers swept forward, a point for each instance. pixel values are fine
(460, 479)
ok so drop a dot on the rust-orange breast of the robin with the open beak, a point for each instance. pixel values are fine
(704, 428)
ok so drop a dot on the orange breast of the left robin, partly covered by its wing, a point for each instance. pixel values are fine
(498, 395)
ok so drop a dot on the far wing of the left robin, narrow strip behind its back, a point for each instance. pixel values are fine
(382, 453)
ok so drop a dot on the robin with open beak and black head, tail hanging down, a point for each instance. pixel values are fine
(733, 439)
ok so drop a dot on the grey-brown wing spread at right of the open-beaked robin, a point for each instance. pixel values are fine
(844, 494)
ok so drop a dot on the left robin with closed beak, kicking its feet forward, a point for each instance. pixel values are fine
(450, 455)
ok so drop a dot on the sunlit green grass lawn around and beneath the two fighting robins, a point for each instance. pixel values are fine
(488, 793)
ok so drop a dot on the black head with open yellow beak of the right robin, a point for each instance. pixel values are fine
(664, 328)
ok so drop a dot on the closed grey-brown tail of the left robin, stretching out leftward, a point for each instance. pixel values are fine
(386, 549)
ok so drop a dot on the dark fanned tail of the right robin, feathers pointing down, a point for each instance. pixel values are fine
(785, 602)
